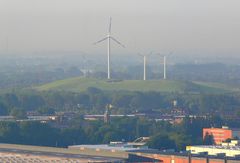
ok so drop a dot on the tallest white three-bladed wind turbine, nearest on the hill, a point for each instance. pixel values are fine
(109, 38)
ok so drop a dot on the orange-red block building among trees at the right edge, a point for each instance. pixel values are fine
(221, 134)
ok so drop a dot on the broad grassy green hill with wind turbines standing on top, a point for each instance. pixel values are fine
(81, 84)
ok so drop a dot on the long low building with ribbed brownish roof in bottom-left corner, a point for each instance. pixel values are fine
(29, 154)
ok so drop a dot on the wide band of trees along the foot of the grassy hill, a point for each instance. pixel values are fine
(94, 101)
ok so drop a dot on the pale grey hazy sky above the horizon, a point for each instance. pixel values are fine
(187, 26)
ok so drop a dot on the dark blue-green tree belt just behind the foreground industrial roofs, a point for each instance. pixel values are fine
(163, 134)
